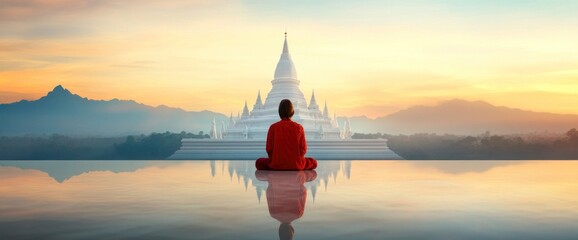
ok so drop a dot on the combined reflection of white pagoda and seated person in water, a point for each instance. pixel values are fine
(286, 191)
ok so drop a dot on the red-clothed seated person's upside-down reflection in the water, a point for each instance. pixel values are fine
(286, 196)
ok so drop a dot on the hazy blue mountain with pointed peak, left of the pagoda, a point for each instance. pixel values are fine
(62, 112)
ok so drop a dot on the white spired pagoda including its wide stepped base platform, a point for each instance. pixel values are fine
(244, 136)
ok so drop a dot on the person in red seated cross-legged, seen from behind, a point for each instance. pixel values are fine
(286, 145)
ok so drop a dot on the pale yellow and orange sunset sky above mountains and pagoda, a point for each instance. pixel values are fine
(367, 58)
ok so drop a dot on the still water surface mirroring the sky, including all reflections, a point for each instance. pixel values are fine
(340, 200)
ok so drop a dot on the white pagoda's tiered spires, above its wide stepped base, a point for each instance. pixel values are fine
(254, 124)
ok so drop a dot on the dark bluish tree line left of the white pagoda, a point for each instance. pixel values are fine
(61, 147)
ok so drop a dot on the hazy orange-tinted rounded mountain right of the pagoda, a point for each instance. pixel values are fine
(465, 117)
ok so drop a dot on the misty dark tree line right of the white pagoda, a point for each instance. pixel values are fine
(484, 146)
